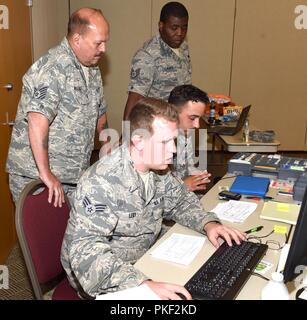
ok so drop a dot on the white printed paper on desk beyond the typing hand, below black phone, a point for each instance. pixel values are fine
(234, 211)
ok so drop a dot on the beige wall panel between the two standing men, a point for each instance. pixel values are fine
(129, 28)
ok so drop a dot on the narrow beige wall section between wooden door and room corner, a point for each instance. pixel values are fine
(49, 24)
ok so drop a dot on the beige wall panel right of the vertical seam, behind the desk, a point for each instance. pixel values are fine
(270, 69)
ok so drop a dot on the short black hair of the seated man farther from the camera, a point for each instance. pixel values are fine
(180, 95)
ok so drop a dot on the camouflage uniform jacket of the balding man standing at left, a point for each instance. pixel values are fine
(55, 86)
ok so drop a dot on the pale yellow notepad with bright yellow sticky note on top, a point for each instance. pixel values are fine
(278, 211)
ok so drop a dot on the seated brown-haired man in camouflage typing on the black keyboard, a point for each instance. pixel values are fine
(119, 204)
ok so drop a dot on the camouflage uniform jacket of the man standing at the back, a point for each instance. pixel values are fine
(156, 69)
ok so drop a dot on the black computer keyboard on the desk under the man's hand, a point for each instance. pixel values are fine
(225, 272)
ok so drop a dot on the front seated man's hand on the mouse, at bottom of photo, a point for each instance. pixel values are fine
(168, 291)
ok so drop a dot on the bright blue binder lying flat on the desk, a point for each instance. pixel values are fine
(254, 186)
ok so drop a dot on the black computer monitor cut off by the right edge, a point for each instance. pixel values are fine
(297, 257)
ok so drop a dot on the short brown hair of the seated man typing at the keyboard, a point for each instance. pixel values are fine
(144, 112)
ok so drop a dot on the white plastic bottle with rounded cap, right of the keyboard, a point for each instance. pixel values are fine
(275, 289)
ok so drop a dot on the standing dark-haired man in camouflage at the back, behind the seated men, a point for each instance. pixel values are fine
(164, 61)
